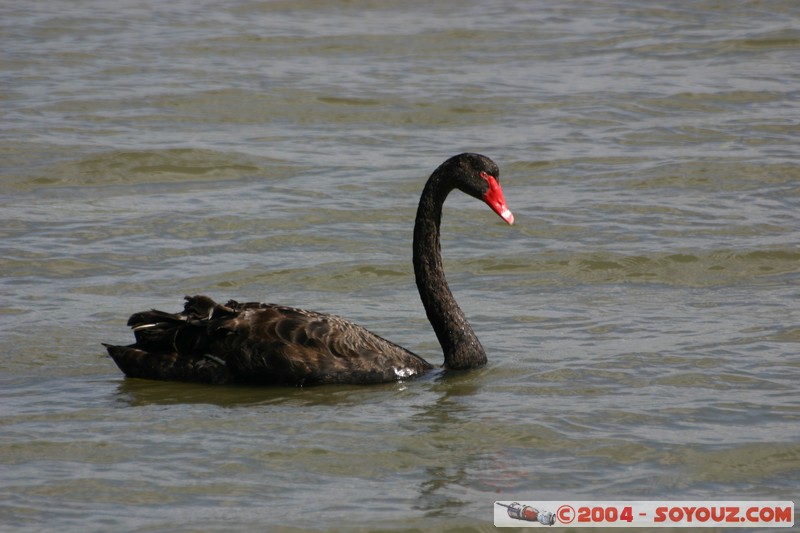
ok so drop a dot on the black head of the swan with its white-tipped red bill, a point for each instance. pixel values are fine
(478, 176)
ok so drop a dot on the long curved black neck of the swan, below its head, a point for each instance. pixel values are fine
(460, 345)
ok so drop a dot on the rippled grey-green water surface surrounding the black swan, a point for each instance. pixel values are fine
(641, 317)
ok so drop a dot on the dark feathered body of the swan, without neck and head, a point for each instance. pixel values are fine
(259, 343)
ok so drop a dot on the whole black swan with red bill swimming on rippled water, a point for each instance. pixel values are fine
(270, 344)
